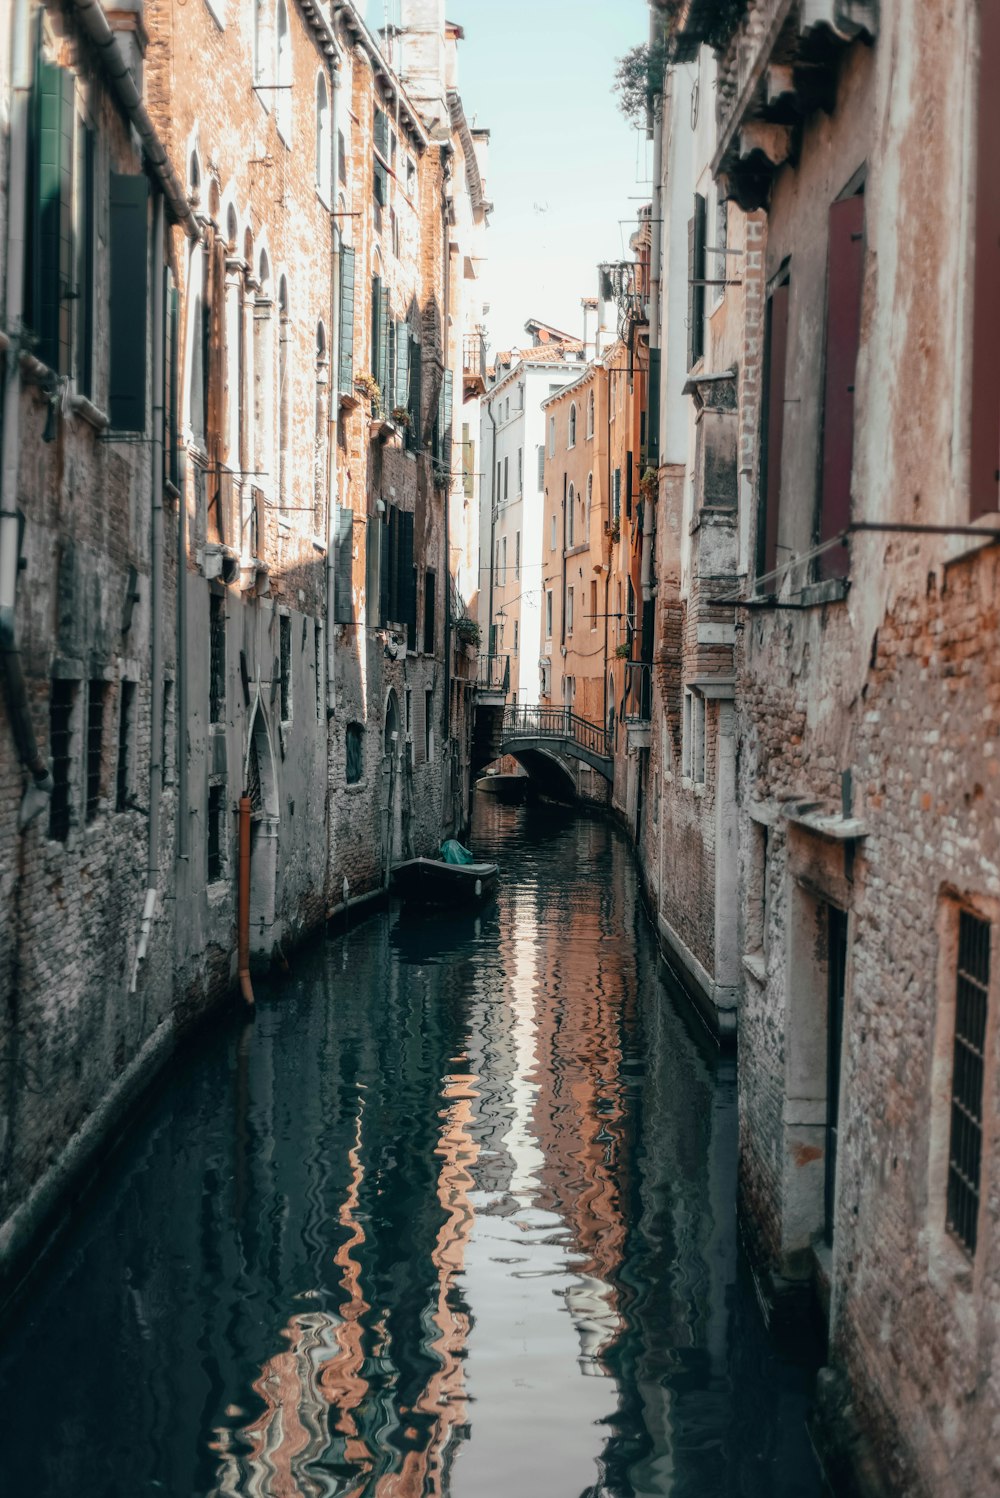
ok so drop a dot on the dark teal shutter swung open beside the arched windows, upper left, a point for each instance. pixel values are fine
(128, 281)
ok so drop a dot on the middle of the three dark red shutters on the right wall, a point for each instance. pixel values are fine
(844, 336)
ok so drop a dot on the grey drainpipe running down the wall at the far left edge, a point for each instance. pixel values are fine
(38, 793)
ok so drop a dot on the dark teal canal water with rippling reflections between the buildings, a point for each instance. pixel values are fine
(453, 1217)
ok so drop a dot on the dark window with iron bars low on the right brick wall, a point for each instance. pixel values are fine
(965, 1153)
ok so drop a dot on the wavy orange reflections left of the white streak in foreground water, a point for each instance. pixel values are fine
(339, 1401)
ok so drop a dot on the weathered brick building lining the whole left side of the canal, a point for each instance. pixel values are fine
(240, 264)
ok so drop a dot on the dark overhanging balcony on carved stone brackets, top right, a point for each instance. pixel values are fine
(776, 67)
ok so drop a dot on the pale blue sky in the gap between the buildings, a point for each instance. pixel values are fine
(565, 167)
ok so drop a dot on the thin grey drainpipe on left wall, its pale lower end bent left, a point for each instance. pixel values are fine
(156, 598)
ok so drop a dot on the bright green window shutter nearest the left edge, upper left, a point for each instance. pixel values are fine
(53, 216)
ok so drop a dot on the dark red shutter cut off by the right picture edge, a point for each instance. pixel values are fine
(986, 366)
